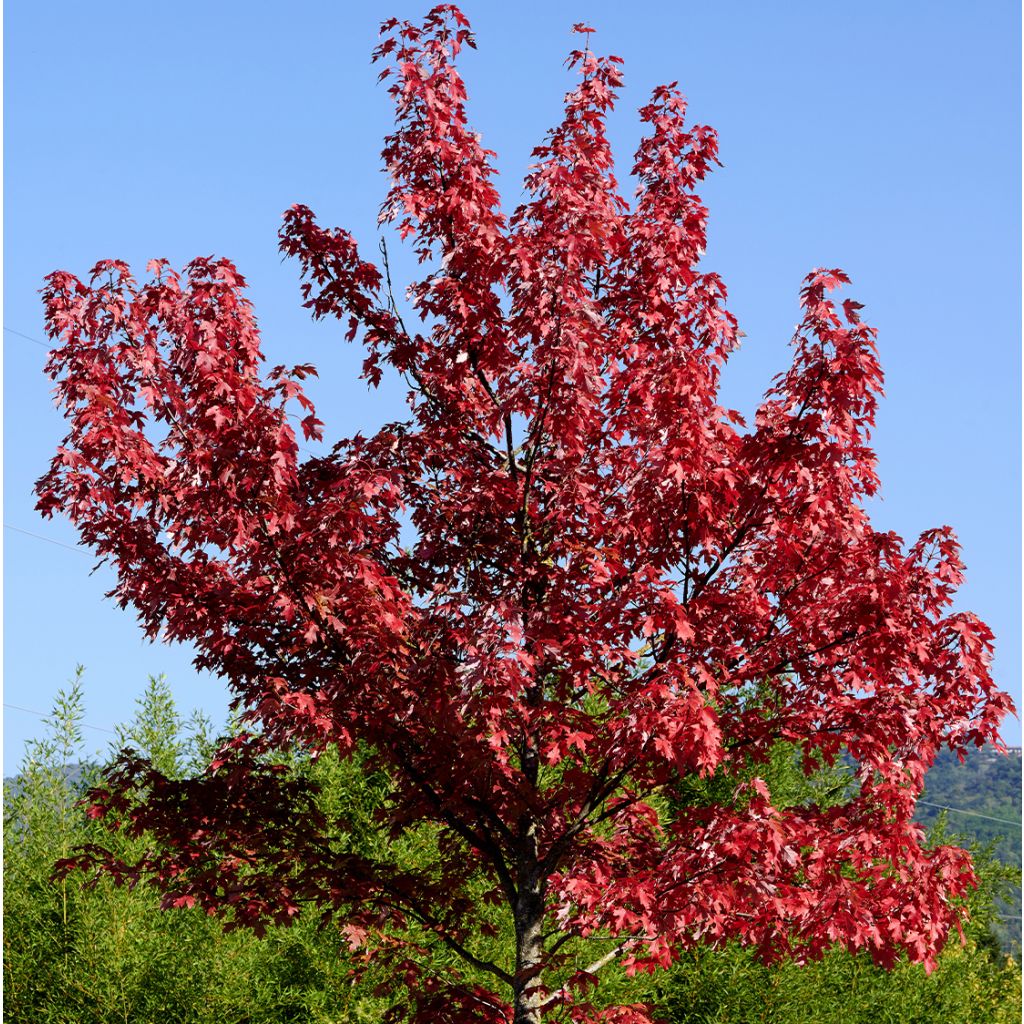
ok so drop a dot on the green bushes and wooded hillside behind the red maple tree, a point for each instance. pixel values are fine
(81, 955)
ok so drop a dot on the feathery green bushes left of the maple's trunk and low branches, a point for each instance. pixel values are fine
(78, 955)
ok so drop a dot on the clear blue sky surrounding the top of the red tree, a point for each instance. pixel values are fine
(883, 139)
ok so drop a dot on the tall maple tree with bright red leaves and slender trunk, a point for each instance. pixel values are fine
(613, 585)
